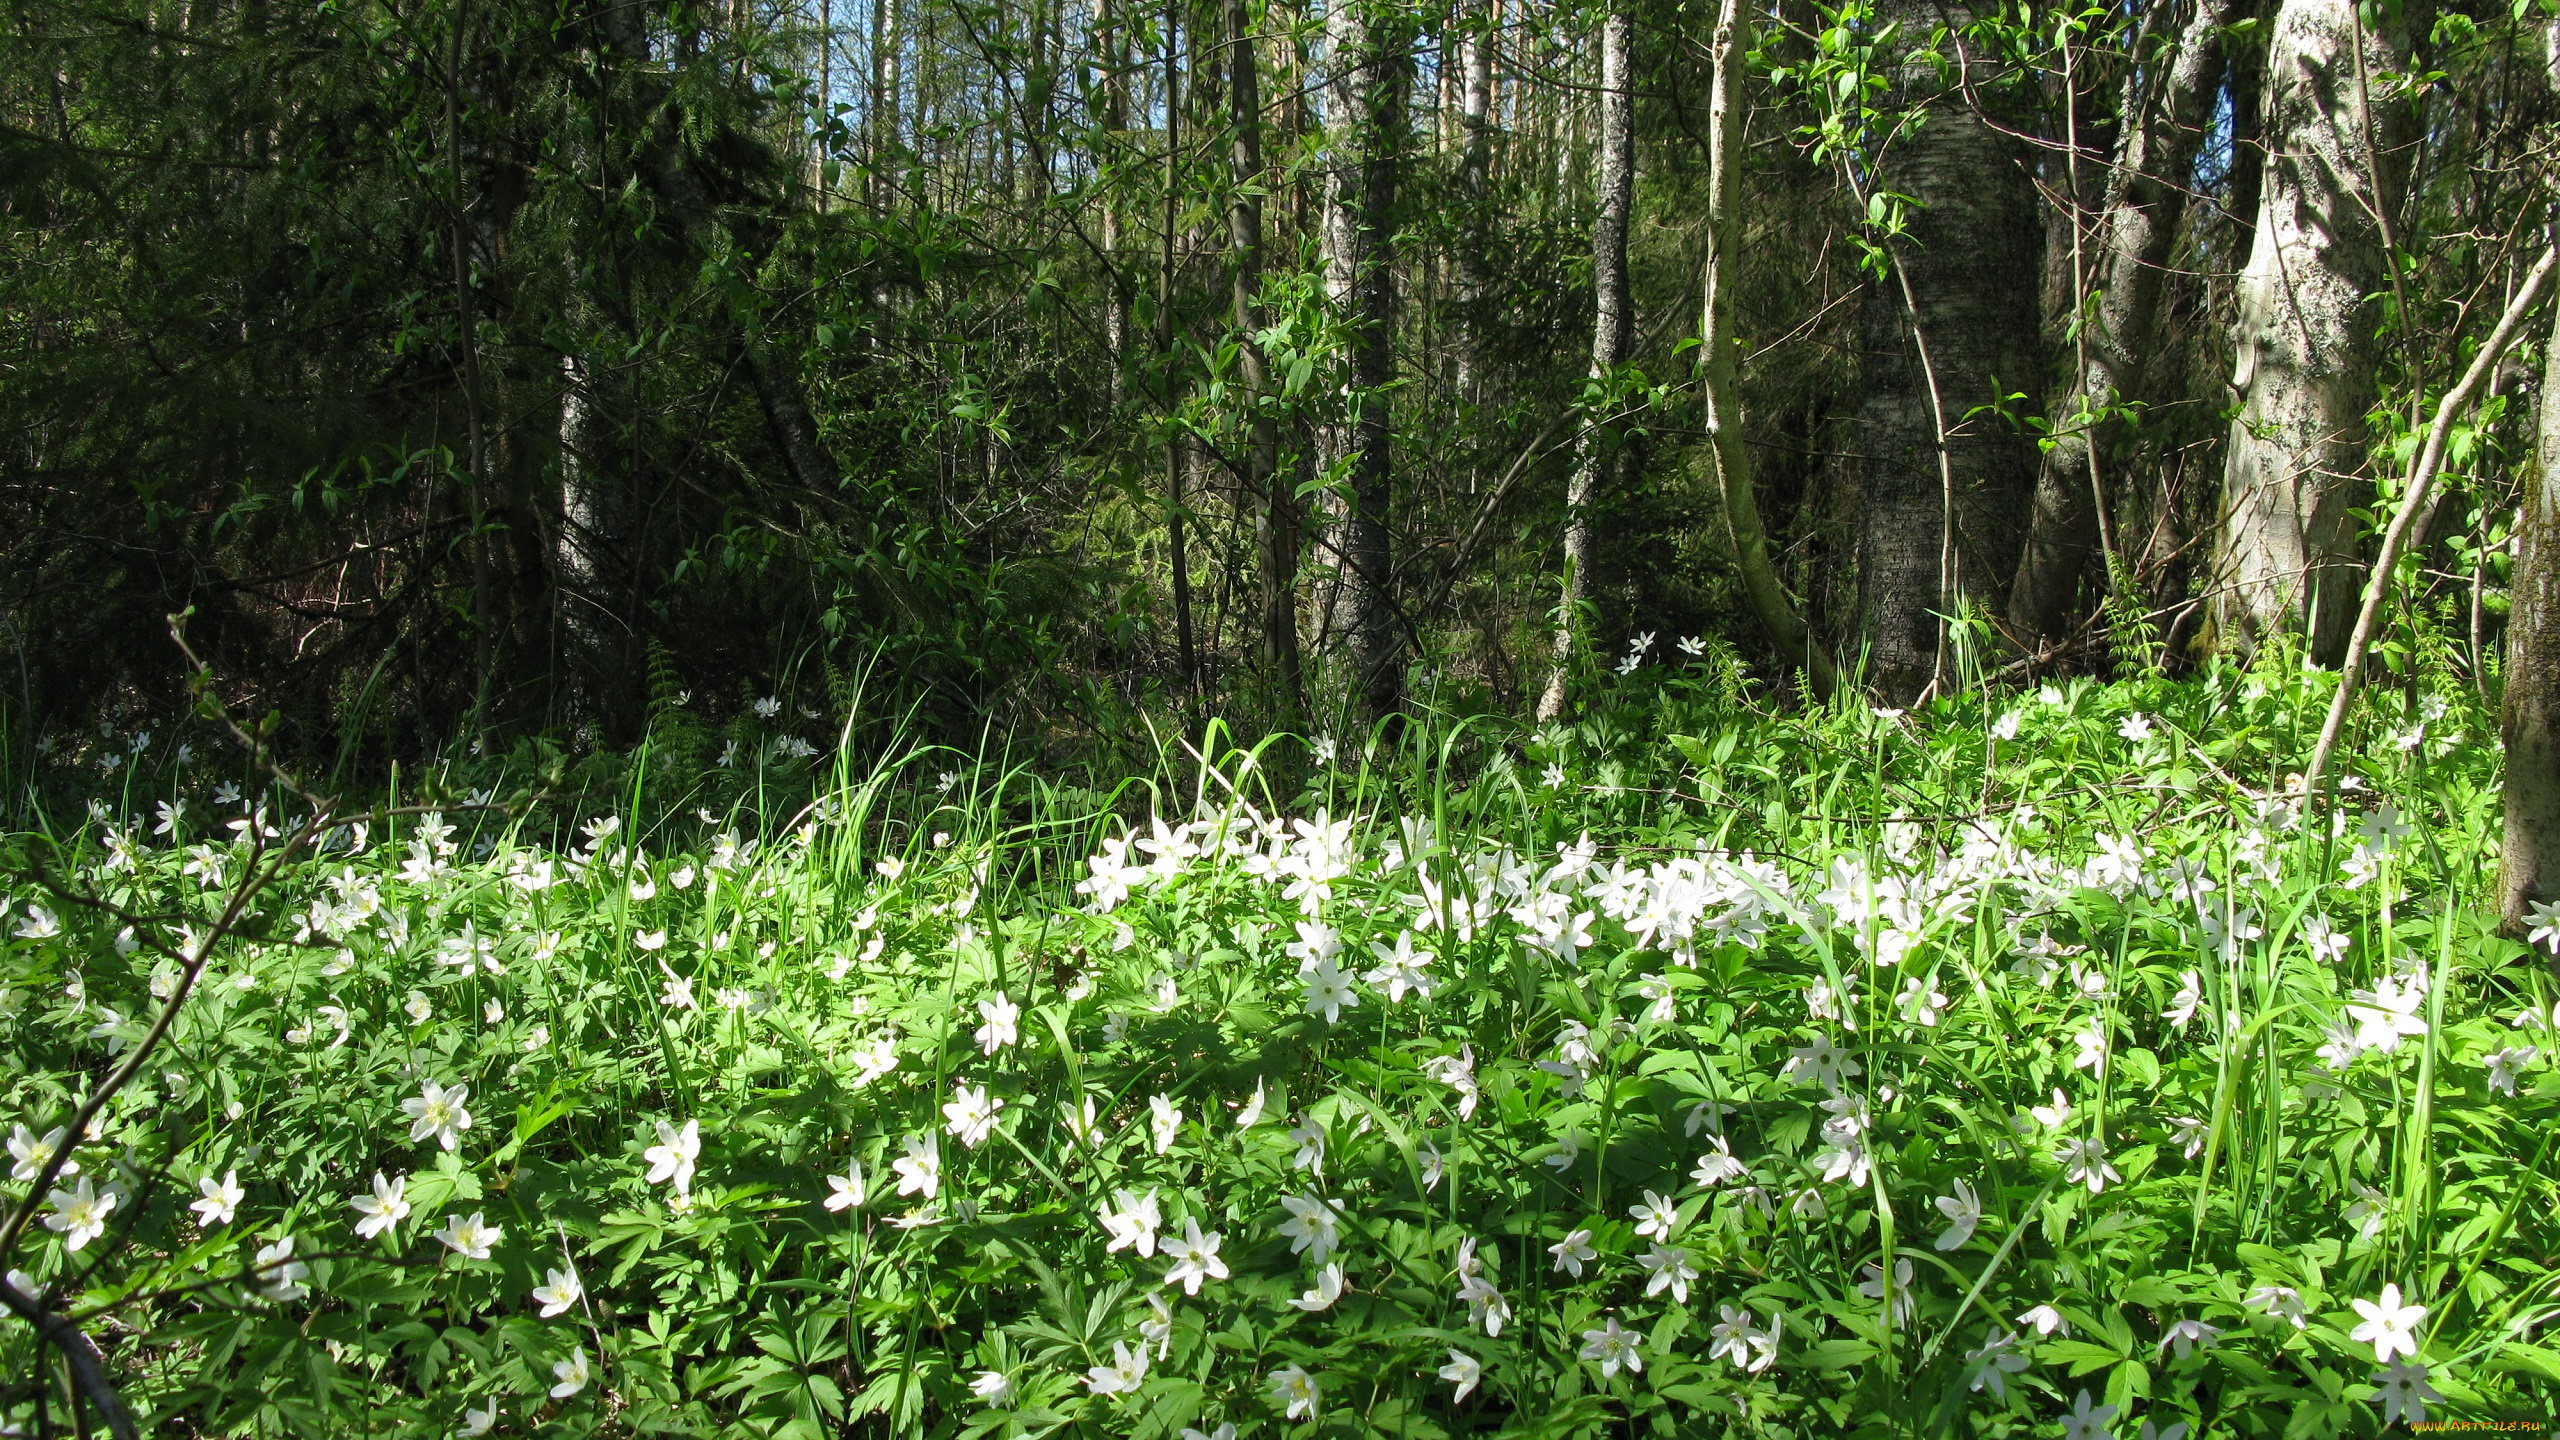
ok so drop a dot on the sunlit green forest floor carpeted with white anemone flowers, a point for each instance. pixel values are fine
(1688, 1070)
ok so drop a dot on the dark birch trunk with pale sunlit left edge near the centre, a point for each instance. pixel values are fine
(1373, 68)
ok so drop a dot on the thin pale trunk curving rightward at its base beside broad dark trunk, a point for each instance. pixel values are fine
(1719, 347)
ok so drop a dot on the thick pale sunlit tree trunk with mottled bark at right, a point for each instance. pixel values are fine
(2305, 332)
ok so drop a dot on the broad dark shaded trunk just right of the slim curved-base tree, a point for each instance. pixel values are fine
(1949, 332)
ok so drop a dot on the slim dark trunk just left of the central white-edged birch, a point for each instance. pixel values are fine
(1279, 521)
